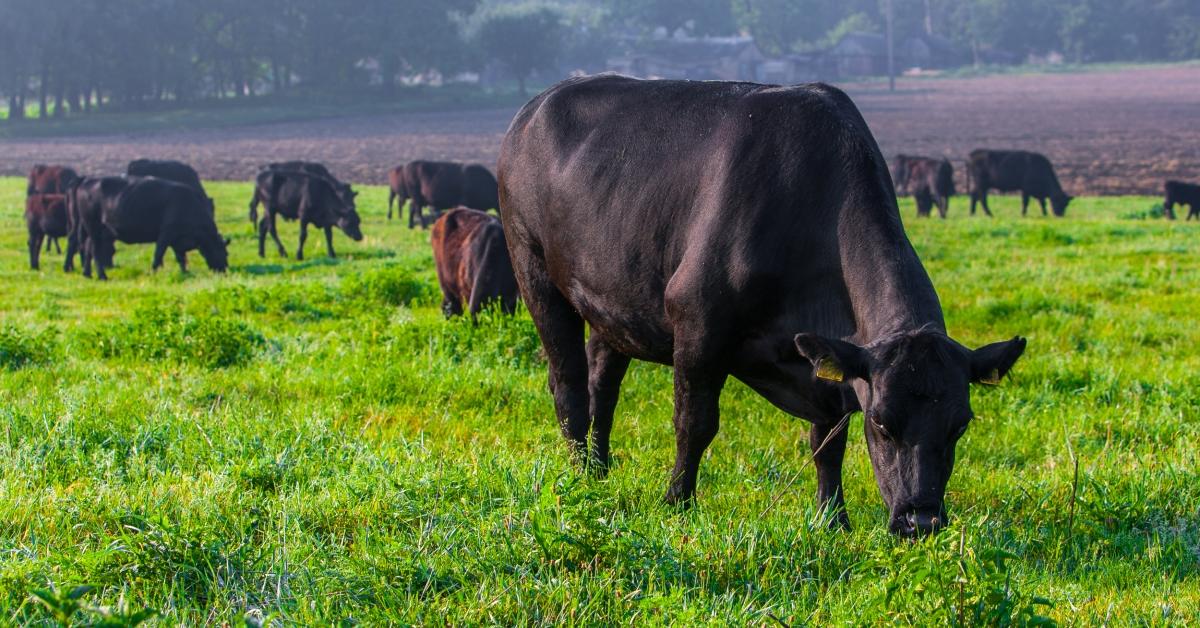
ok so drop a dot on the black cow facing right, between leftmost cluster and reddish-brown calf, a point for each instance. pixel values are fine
(310, 199)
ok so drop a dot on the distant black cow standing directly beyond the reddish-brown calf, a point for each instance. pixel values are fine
(446, 186)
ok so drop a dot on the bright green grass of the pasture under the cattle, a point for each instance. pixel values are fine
(311, 442)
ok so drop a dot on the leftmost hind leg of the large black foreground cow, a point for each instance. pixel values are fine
(561, 330)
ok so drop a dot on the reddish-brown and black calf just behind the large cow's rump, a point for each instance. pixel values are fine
(473, 262)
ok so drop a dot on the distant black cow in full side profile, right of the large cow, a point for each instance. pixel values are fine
(1011, 171)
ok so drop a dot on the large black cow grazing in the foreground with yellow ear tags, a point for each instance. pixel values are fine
(766, 244)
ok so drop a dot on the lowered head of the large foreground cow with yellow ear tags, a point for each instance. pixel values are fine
(914, 390)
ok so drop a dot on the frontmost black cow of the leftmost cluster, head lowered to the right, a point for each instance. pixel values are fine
(137, 211)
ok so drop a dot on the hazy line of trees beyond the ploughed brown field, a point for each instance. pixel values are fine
(64, 57)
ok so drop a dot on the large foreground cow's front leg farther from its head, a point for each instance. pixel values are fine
(698, 392)
